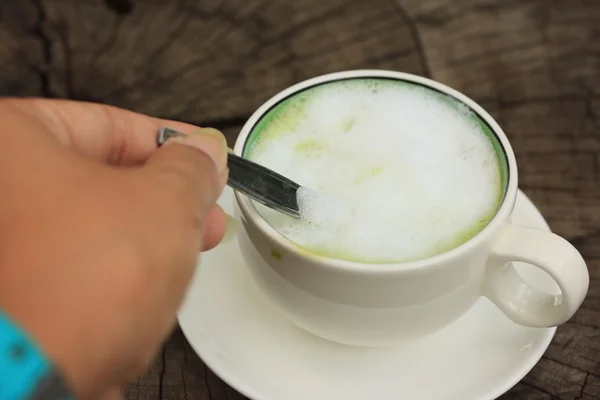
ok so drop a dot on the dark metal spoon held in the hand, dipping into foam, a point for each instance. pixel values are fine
(257, 182)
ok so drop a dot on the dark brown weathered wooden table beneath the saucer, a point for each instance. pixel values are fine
(534, 64)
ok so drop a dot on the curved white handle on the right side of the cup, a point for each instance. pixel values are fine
(523, 303)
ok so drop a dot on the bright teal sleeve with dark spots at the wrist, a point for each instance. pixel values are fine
(25, 371)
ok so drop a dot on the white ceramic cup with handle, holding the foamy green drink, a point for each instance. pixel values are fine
(379, 305)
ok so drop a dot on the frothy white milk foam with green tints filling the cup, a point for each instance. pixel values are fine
(393, 172)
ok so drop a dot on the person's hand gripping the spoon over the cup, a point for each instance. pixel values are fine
(100, 231)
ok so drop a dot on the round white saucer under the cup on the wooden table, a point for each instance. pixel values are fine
(247, 342)
